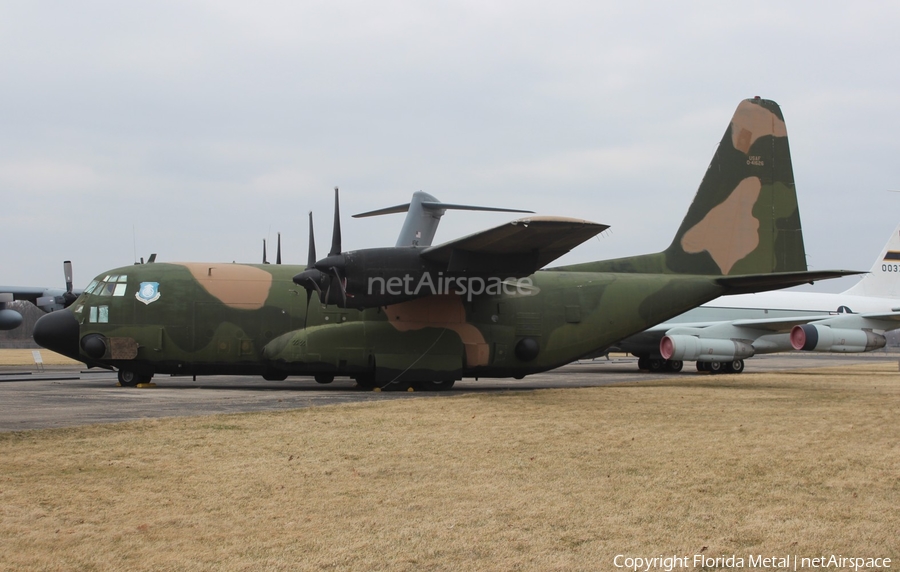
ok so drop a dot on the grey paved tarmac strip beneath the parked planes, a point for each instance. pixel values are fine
(66, 396)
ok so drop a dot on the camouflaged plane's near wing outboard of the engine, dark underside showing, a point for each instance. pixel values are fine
(517, 248)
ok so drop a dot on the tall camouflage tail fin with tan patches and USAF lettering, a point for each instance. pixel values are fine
(744, 218)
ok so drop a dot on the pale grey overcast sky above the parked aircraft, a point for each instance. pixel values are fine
(196, 129)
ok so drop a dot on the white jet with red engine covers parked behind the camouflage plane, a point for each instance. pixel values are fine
(720, 334)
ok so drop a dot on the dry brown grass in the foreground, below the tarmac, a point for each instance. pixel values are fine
(802, 463)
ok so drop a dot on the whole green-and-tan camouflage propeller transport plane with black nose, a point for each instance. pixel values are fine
(477, 306)
